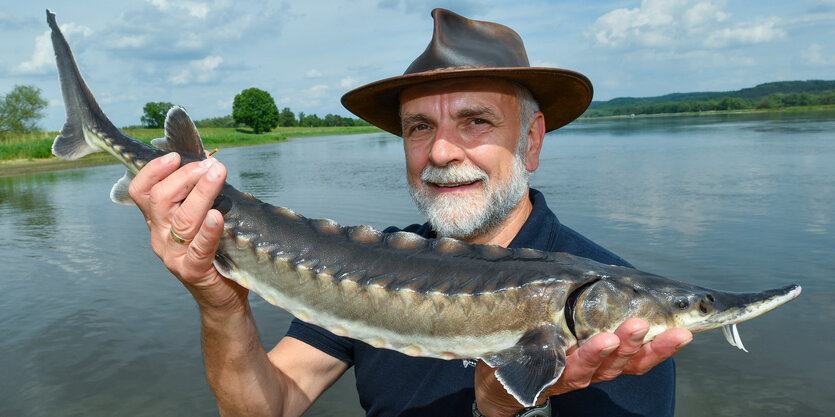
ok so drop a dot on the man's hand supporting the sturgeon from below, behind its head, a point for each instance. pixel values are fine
(603, 357)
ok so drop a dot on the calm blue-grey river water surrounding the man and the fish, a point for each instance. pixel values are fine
(92, 323)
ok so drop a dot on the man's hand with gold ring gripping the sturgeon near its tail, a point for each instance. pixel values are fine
(180, 200)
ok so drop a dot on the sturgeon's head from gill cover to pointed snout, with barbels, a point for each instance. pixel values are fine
(603, 304)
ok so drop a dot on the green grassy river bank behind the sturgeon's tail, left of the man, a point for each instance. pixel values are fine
(32, 152)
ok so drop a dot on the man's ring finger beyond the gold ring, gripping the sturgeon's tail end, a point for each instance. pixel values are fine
(190, 215)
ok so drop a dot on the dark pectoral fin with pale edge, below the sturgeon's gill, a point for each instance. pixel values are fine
(531, 366)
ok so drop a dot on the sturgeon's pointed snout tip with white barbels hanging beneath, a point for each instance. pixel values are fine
(743, 307)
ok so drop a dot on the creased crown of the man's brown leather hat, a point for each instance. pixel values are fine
(461, 42)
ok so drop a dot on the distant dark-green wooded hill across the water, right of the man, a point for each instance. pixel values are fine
(768, 95)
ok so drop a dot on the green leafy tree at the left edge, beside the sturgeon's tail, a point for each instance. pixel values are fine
(21, 109)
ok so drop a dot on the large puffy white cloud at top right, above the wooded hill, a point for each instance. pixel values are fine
(671, 24)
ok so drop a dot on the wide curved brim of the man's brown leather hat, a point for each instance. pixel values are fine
(562, 95)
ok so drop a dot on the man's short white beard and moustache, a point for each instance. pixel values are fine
(473, 214)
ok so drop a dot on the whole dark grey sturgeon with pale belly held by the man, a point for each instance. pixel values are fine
(519, 310)
